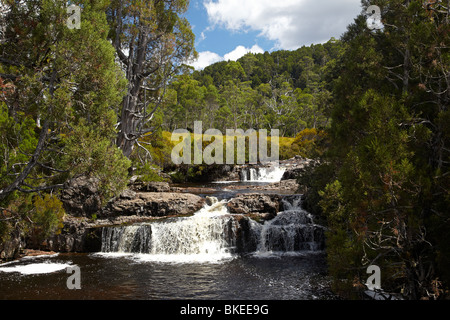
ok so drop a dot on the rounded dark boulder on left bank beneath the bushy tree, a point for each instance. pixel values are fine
(80, 197)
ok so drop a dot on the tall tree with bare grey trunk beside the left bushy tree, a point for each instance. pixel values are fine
(152, 41)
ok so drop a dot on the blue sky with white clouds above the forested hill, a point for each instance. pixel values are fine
(227, 29)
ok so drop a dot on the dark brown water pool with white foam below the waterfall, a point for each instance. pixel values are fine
(129, 277)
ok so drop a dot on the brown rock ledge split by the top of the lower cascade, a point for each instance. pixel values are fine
(81, 234)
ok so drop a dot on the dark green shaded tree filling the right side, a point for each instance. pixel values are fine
(388, 150)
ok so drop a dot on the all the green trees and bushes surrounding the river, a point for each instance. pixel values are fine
(373, 106)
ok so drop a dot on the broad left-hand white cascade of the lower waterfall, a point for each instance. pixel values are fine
(207, 235)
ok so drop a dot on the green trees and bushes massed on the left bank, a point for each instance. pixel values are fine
(71, 99)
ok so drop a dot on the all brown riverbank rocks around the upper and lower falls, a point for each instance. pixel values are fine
(150, 201)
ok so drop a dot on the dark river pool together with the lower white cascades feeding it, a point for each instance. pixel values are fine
(186, 258)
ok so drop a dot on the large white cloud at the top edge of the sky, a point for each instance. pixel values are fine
(291, 23)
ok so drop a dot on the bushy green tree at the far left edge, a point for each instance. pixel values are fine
(60, 89)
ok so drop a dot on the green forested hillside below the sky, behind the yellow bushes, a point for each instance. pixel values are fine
(284, 90)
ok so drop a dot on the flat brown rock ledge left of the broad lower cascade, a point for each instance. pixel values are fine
(81, 234)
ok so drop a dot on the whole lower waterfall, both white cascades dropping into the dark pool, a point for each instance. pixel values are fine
(213, 234)
